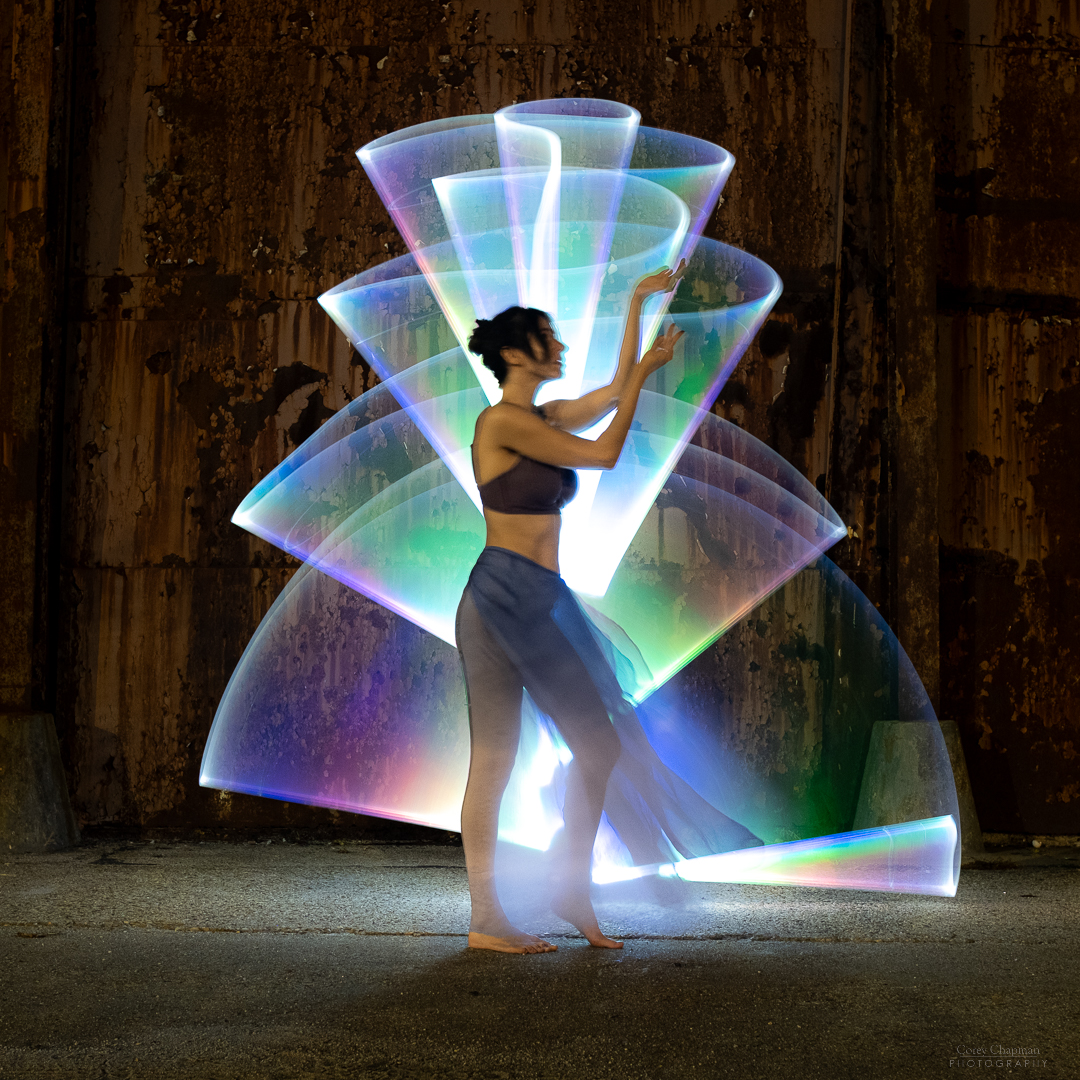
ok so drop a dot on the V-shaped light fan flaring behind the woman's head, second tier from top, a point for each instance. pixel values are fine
(728, 294)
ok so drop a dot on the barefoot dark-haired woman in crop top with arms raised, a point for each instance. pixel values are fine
(518, 625)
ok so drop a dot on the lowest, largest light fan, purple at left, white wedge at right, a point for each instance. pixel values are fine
(323, 709)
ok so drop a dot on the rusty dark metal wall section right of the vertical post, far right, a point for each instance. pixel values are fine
(1008, 198)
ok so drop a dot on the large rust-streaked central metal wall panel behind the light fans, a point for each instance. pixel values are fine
(221, 196)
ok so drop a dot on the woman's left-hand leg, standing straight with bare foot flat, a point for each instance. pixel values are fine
(494, 688)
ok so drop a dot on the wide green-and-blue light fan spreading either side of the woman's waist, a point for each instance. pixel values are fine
(377, 510)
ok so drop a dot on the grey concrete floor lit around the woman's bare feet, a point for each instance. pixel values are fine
(326, 961)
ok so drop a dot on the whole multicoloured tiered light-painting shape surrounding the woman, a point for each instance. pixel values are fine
(563, 206)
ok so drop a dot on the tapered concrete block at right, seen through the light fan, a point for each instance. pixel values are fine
(901, 767)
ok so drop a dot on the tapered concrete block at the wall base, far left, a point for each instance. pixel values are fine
(35, 808)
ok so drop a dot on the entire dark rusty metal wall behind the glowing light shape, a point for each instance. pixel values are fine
(180, 185)
